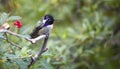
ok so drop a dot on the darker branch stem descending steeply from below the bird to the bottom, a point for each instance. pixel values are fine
(41, 51)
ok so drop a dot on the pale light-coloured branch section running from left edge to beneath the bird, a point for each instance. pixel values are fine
(21, 36)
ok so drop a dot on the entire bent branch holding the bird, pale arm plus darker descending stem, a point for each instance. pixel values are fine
(41, 51)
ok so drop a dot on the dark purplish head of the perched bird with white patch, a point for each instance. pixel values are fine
(48, 20)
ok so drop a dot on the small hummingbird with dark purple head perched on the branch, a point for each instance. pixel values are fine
(44, 28)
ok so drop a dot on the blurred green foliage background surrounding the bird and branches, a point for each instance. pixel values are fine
(85, 34)
